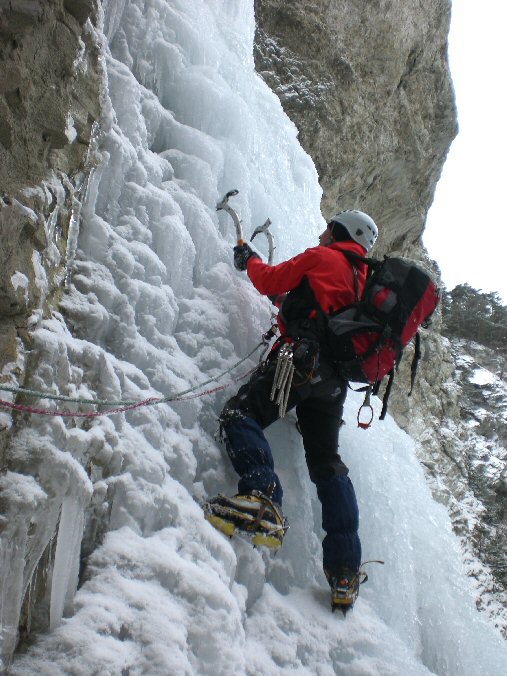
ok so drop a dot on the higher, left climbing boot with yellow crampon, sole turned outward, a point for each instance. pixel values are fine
(252, 514)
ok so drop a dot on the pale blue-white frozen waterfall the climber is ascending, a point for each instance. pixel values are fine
(155, 307)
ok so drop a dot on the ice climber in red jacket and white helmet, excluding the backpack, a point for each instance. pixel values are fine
(319, 279)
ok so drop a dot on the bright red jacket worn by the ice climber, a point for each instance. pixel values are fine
(327, 271)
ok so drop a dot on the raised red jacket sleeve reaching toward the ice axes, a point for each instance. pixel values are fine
(274, 279)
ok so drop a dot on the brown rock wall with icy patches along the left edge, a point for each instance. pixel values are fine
(50, 79)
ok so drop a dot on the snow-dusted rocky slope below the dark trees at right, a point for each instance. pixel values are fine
(461, 437)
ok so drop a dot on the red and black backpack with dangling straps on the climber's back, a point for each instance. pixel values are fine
(365, 340)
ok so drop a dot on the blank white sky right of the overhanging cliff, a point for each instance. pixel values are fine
(466, 230)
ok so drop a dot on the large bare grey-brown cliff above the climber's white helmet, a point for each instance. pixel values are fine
(368, 86)
